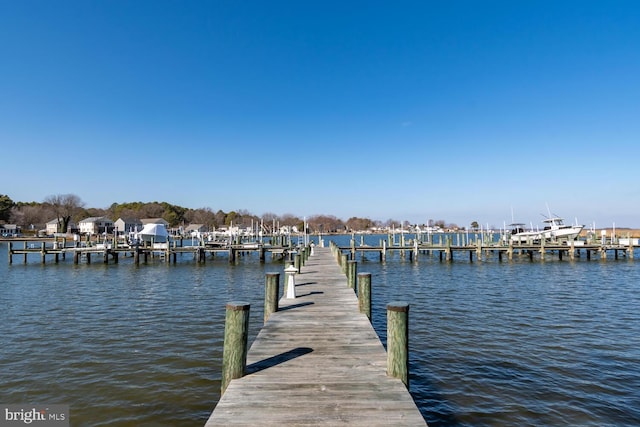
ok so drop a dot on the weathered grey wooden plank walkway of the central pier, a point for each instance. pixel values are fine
(317, 361)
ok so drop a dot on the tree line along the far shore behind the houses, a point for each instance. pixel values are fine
(68, 208)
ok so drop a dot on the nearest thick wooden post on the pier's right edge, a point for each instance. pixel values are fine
(398, 341)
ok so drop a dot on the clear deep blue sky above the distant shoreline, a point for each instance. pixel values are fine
(413, 110)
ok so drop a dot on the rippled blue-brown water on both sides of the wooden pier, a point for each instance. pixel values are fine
(511, 343)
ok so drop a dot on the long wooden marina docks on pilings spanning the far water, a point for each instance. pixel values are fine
(447, 247)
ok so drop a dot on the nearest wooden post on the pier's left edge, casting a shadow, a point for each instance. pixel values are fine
(236, 333)
